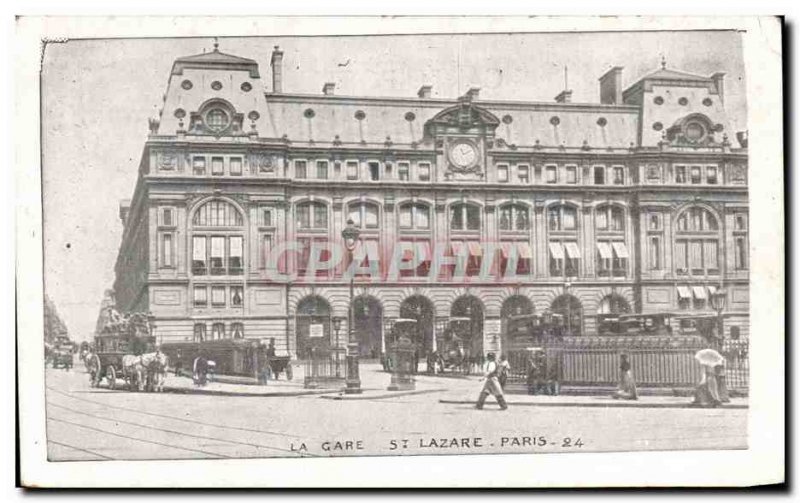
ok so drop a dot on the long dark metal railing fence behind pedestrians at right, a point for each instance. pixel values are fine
(655, 362)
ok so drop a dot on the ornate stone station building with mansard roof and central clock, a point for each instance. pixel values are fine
(638, 203)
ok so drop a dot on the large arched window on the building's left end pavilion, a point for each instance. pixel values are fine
(217, 240)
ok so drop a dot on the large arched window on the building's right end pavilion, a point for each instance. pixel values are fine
(697, 243)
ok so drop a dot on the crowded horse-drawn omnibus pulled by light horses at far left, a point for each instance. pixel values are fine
(124, 349)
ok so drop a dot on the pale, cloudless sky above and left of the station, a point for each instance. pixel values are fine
(98, 94)
